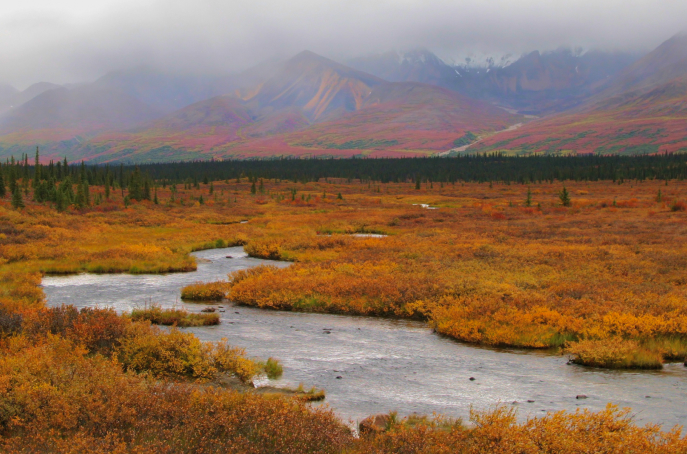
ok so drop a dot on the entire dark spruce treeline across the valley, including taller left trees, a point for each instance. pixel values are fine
(56, 180)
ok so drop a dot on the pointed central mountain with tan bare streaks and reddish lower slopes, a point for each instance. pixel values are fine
(311, 106)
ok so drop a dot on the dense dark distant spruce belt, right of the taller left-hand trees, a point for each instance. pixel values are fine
(491, 168)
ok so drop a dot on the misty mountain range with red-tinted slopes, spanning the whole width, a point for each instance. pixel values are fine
(391, 104)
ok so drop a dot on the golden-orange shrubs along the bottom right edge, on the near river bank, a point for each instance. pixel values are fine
(609, 431)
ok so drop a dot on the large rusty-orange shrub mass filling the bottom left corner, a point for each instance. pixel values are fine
(54, 397)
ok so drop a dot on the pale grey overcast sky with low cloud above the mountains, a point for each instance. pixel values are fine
(79, 40)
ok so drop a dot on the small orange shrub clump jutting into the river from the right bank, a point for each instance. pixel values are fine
(613, 353)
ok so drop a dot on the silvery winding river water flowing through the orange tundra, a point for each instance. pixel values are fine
(371, 365)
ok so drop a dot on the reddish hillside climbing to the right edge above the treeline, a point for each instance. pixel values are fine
(649, 118)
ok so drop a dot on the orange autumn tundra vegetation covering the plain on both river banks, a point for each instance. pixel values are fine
(598, 275)
